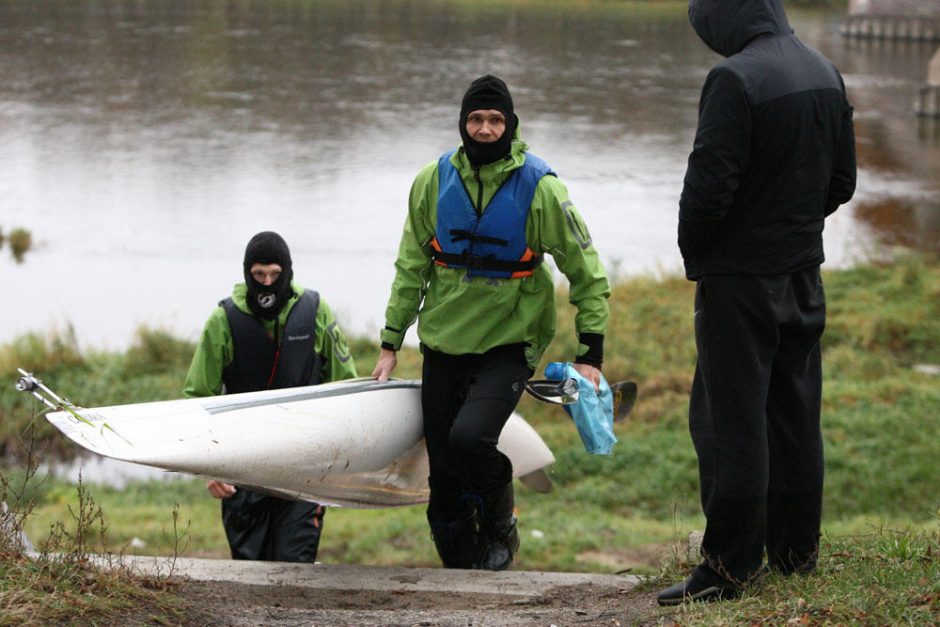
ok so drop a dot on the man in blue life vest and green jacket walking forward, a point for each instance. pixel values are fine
(469, 269)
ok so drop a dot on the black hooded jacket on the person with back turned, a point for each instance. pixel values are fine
(774, 152)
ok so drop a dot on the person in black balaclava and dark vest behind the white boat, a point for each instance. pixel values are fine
(271, 333)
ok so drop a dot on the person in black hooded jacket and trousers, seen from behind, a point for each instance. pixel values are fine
(774, 154)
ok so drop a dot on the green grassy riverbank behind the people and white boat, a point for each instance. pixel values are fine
(630, 511)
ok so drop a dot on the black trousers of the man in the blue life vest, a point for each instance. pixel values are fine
(466, 400)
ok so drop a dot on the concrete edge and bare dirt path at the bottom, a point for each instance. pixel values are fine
(240, 593)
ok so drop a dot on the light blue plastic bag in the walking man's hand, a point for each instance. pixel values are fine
(593, 414)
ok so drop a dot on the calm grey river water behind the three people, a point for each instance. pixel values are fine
(143, 143)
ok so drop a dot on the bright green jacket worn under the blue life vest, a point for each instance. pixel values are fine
(457, 315)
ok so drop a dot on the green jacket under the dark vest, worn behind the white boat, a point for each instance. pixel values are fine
(215, 349)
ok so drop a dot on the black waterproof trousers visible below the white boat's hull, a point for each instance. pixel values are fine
(262, 527)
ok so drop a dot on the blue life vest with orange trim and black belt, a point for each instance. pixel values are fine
(490, 243)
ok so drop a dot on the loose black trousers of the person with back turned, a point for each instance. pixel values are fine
(754, 419)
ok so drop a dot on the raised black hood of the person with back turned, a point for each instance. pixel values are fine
(727, 25)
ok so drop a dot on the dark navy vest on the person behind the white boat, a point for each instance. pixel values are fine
(261, 362)
